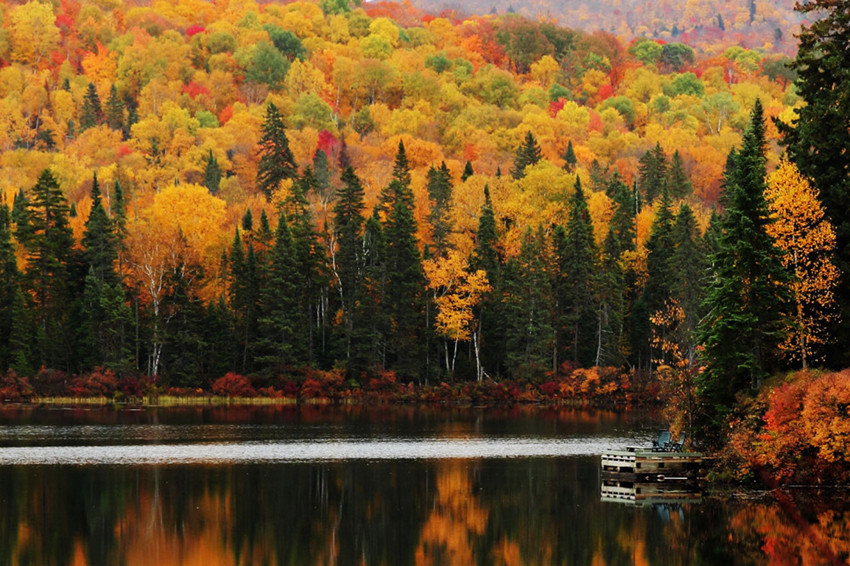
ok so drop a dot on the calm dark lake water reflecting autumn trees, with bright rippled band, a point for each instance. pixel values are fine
(345, 486)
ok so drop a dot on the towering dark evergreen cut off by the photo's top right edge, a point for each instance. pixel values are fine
(818, 139)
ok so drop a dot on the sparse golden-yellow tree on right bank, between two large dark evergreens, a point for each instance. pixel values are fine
(808, 240)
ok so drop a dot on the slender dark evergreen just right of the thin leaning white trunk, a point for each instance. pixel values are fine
(349, 261)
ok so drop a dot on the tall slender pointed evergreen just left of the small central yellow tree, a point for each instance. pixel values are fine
(405, 278)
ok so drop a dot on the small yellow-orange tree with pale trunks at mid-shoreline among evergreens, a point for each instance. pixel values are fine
(457, 291)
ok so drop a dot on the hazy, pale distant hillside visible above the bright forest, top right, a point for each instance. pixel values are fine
(711, 25)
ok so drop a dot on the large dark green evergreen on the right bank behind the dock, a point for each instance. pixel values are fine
(747, 297)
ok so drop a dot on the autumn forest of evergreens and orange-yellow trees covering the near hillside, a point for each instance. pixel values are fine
(374, 194)
